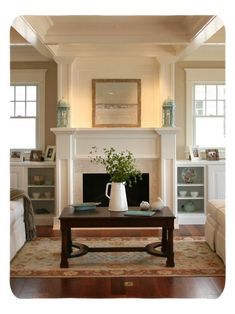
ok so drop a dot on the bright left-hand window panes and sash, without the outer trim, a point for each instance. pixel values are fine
(23, 123)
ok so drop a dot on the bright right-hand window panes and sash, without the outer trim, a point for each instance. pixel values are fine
(209, 115)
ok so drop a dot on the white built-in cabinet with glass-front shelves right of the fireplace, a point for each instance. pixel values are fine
(196, 183)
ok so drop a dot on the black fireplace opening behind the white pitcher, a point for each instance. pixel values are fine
(94, 189)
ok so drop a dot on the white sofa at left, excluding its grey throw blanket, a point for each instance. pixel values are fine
(17, 226)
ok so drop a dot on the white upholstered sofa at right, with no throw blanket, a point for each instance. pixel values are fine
(215, 227)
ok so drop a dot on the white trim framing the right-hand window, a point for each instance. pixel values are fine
(196, 76)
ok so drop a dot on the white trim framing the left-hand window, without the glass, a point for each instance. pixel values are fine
(34, 76)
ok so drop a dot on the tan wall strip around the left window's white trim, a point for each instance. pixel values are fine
(50, 94)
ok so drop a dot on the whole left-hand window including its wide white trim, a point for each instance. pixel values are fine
(27, 109)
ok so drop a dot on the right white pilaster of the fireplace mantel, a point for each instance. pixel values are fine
(168, 165)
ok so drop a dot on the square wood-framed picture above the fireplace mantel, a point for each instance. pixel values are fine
(116, 102)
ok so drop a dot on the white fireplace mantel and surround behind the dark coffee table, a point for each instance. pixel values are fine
(154, 151)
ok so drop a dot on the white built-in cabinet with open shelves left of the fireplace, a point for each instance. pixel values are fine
(37, 180)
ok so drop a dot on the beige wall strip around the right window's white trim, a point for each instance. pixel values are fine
(180, 98)
